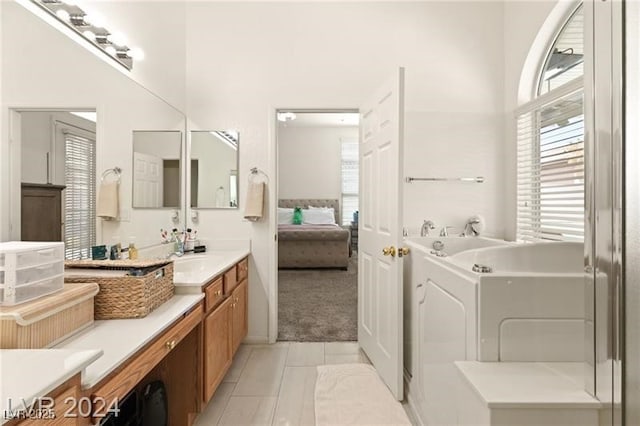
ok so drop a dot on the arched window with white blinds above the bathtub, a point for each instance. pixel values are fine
(550, 152)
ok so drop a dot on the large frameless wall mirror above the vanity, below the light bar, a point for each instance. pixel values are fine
(121, 106)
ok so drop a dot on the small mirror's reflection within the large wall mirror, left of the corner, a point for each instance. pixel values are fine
(156, 169)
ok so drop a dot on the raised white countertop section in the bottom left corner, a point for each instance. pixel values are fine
(32, 373)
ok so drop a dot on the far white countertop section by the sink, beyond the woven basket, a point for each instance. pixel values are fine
(203, 267)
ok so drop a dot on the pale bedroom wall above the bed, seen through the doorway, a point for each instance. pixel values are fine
(310, 161)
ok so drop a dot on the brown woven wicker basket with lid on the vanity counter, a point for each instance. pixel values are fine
(126, 296)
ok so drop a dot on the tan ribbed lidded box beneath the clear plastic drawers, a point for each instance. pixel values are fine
(44, 322)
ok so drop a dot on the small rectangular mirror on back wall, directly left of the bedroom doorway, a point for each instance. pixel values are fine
(214, 169)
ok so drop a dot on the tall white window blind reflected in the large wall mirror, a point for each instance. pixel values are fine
(80, 196)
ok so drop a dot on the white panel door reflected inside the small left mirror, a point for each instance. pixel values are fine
(147, 180)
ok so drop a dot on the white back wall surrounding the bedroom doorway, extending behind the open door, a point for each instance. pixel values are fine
(262, 56)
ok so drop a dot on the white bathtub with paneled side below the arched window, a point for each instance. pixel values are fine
(529, 309)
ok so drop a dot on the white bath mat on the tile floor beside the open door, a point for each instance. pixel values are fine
(354, 394)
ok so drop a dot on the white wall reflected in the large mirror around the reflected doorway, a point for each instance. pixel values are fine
(38, 75)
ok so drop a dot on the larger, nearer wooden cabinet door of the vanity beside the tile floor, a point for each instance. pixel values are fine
(217, 347)
